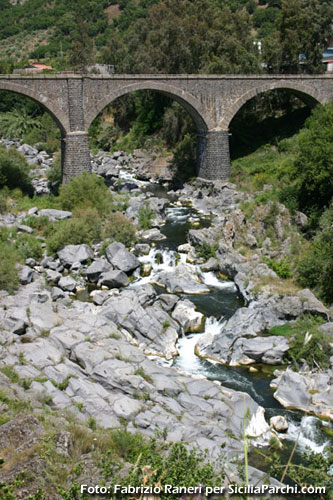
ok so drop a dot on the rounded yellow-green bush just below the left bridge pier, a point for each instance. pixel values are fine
(86, 190)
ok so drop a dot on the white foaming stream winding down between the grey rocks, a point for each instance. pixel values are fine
(218, 305)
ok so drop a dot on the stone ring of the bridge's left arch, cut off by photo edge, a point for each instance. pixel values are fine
(59, 117)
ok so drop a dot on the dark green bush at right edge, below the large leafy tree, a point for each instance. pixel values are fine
(315, 266)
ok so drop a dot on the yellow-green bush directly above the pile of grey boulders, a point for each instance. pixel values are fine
(85, 227)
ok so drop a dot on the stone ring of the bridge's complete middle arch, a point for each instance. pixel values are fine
(188, 101)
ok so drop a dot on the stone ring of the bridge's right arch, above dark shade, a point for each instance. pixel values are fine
(307, 94)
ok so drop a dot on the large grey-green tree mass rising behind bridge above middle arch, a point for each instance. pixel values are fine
(181, 36)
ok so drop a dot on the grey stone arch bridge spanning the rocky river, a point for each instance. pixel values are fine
(74, 101)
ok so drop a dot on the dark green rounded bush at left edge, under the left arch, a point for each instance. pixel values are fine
(14, 171)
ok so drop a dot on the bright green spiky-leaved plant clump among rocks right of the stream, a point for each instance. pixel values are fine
(306, 342)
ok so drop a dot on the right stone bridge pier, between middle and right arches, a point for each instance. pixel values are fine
(213, 155)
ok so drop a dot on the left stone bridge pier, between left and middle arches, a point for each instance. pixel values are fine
(75, 155)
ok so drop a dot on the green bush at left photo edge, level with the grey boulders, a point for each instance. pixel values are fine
(9, 279)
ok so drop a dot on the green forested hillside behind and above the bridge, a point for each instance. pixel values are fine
(211, 36)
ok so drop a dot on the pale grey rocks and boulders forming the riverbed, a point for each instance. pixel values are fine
(109, 357)
